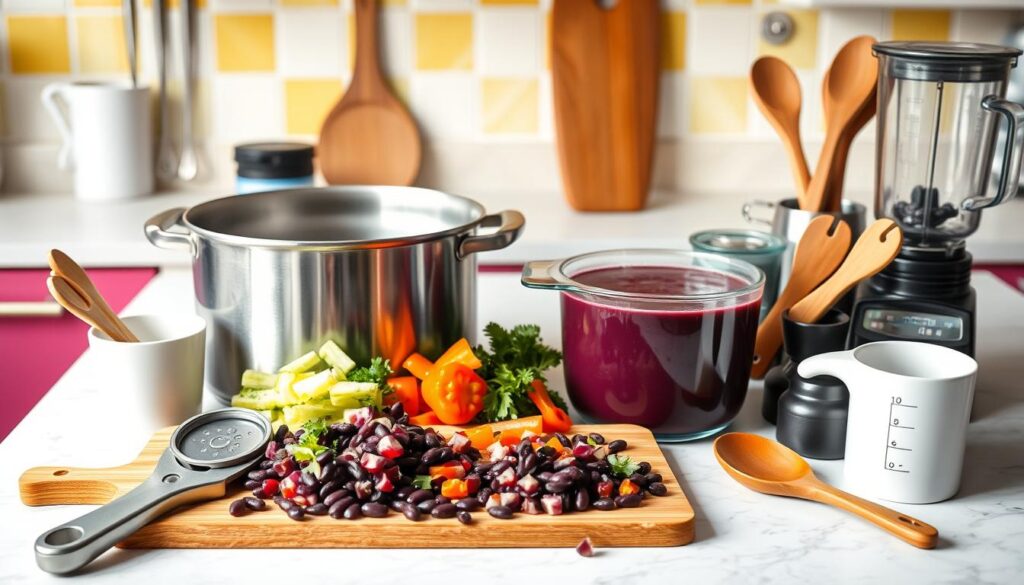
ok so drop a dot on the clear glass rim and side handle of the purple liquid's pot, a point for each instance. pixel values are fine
(564, 272)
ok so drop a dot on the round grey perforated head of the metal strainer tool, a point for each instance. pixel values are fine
(221, 439)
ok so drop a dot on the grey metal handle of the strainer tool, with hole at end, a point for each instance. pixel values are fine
(72, 546)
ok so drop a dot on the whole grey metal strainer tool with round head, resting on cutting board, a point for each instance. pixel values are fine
(206, 453)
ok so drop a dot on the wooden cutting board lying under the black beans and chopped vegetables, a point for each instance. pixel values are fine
(659, 522)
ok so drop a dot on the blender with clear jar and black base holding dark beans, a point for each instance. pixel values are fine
(940, 110)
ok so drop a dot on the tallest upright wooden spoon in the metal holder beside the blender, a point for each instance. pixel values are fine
(852, 82)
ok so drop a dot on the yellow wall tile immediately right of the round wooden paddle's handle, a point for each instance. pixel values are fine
(444, 41)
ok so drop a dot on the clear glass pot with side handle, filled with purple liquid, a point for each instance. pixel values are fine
(660, 339)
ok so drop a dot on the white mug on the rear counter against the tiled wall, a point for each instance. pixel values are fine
(108, 138)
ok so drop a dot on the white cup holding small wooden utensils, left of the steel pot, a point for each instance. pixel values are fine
(159, 380)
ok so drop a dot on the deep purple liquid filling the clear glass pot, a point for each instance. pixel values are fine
(678, 373)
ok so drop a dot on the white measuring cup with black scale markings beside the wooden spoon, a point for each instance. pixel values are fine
(910, 407)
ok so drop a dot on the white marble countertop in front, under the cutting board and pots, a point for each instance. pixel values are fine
(742, 536)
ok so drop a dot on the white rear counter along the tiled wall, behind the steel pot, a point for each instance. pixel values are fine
(111, 234)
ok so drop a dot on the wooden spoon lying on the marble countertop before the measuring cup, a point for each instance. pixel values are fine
(770, 468)
